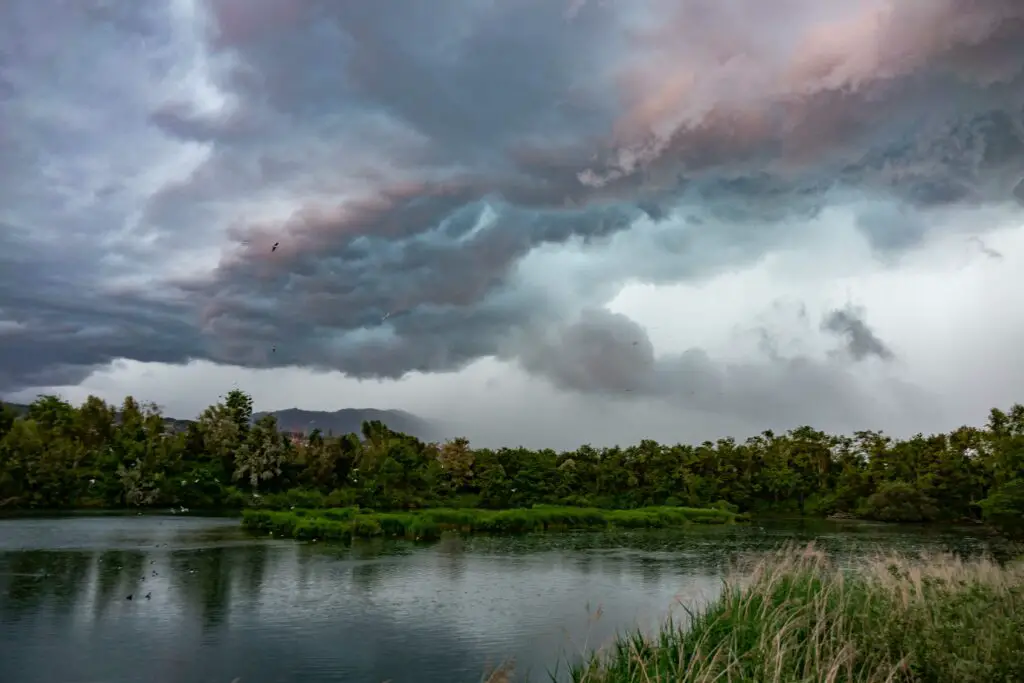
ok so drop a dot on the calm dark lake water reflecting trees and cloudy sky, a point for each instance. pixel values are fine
(211, 604)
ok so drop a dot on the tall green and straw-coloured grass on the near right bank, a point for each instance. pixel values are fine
(797, 619)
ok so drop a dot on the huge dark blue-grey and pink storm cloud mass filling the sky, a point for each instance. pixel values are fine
(415, 162)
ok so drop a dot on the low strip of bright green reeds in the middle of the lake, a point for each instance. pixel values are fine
(349, 524)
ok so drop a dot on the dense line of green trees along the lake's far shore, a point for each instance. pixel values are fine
(59, 456)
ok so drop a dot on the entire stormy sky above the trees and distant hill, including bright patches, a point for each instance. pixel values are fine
(531, 222)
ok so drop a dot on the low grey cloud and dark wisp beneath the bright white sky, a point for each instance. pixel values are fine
(607, 354)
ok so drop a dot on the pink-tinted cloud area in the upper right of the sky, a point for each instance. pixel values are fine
(742, 73)
